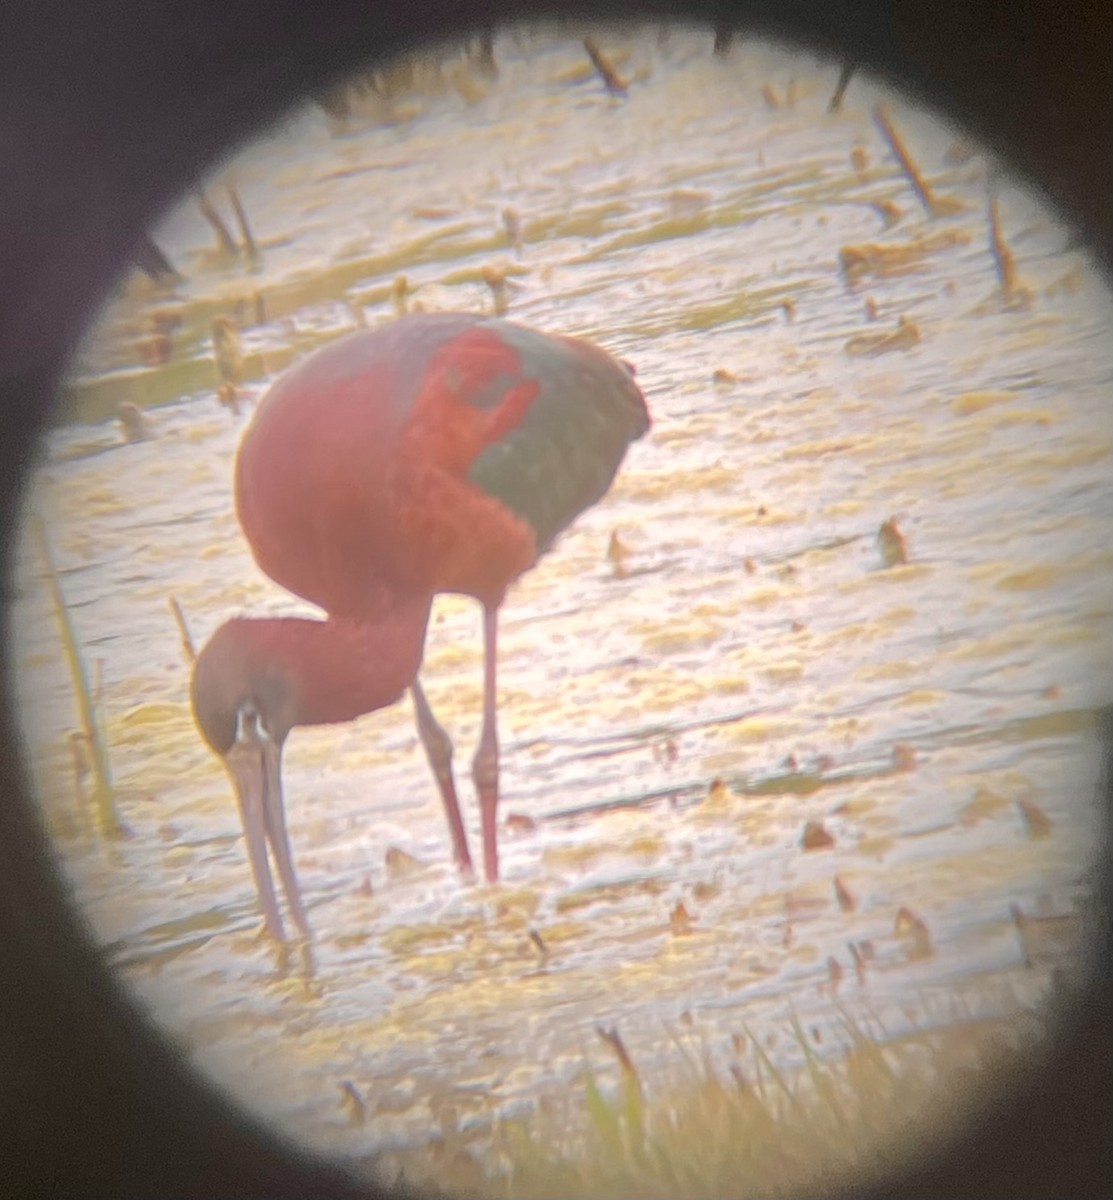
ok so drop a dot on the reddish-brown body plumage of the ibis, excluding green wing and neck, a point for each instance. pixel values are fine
(378, 496)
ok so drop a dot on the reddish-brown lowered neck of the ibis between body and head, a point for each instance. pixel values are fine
(344, 669)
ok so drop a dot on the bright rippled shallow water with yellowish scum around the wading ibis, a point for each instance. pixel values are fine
(753, 637)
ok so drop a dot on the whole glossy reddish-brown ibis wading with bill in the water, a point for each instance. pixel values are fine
(442, 453)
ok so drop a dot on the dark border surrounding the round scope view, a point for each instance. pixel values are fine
(107, 113)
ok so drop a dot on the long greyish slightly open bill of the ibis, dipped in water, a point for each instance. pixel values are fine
(255, 764)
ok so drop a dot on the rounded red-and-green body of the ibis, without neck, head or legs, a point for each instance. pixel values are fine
(426, 454)
